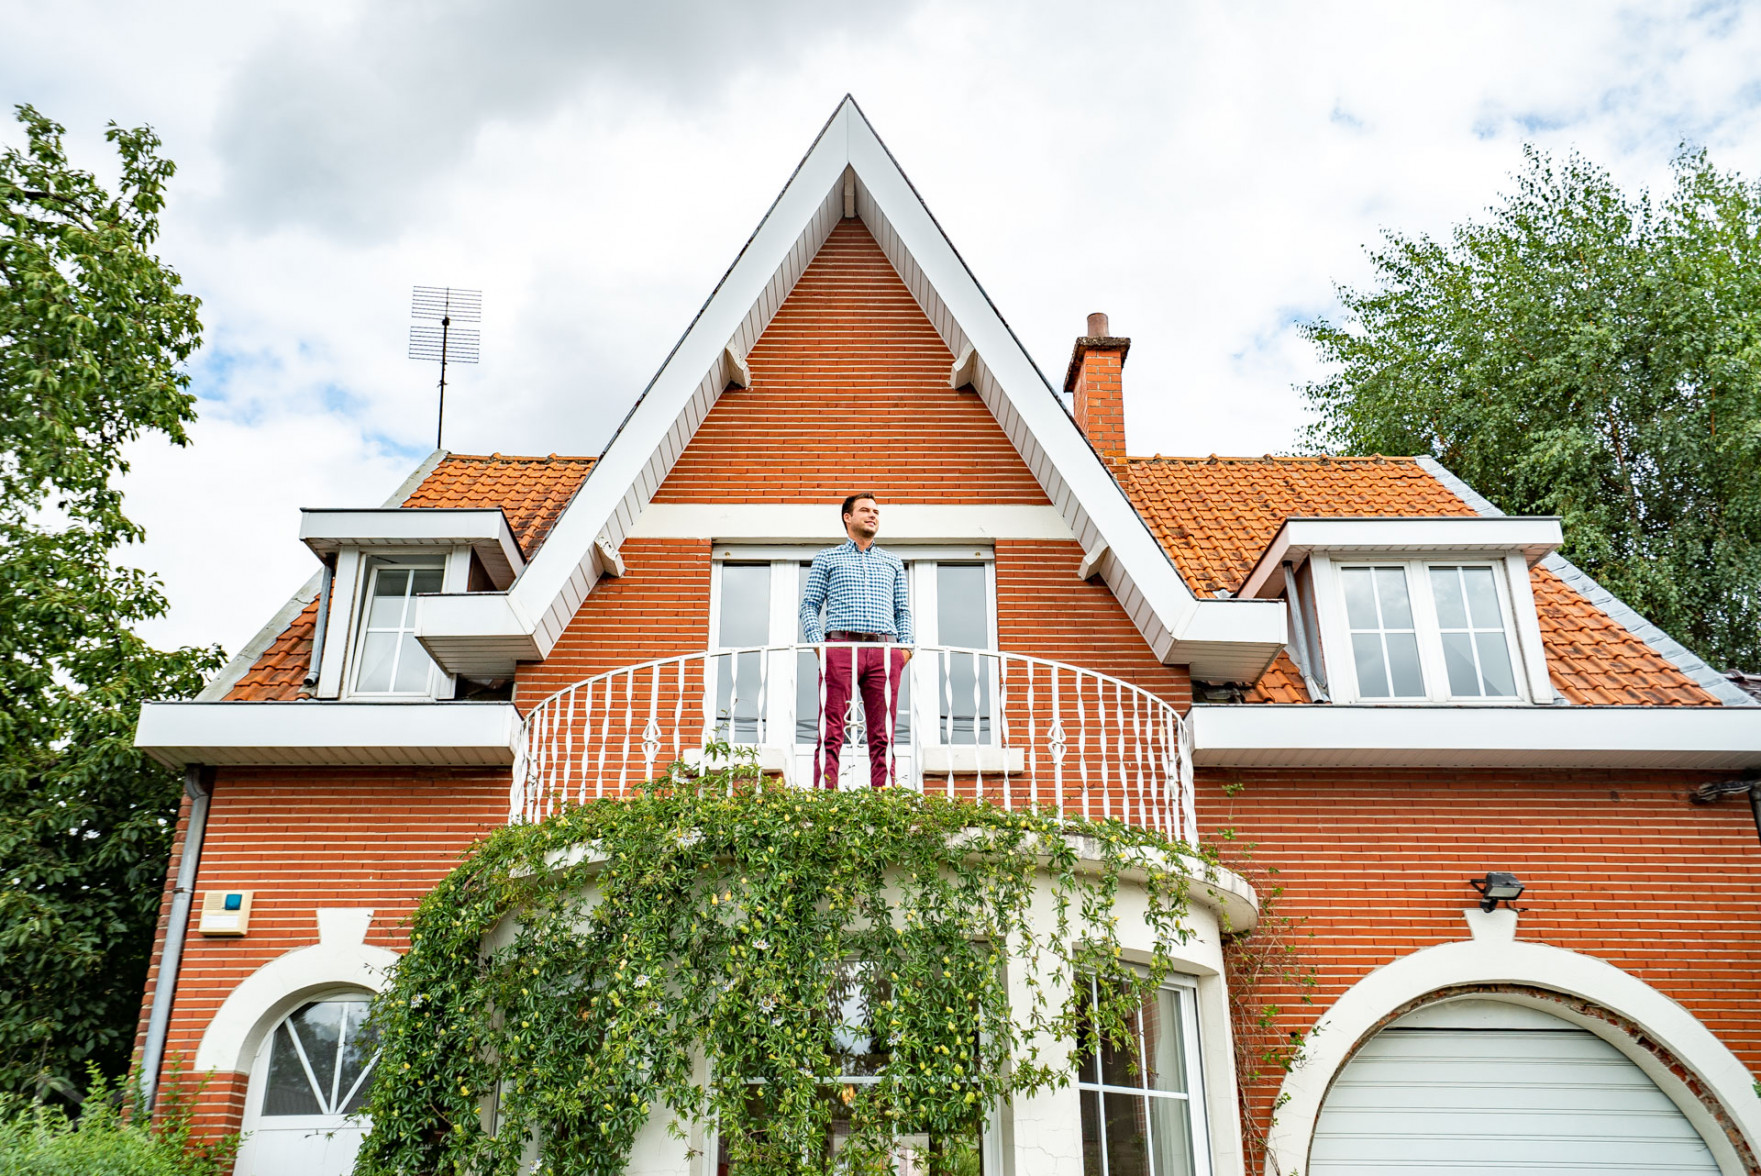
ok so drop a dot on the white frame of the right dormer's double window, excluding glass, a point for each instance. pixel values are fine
(1522, 633)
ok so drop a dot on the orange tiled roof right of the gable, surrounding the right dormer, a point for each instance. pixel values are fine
(1218, 515)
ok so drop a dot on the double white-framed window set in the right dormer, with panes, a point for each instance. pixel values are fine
(1422, 631)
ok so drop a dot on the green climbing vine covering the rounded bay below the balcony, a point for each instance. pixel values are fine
(786, 967)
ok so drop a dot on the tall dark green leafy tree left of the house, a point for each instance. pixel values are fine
(94, 330)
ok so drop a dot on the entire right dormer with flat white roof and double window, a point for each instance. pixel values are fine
(1411, 610)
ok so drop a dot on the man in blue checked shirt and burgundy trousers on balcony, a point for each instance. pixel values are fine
(867, 601)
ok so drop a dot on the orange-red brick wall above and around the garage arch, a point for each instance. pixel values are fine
(1619, 867)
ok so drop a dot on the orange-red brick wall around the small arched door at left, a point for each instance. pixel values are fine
(307, 839)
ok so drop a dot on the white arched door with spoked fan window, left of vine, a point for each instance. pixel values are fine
(307, 1082)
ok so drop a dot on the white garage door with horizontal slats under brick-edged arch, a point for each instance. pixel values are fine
(1485, 1087)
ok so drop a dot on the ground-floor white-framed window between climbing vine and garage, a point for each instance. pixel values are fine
(1142, 1106)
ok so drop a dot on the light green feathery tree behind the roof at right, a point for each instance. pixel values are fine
(1589, 355)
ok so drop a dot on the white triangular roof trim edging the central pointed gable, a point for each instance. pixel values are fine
(850, 172)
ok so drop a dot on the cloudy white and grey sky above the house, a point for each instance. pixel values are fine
(1202, 172)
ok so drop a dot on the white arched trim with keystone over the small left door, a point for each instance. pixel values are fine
(337, 962)
